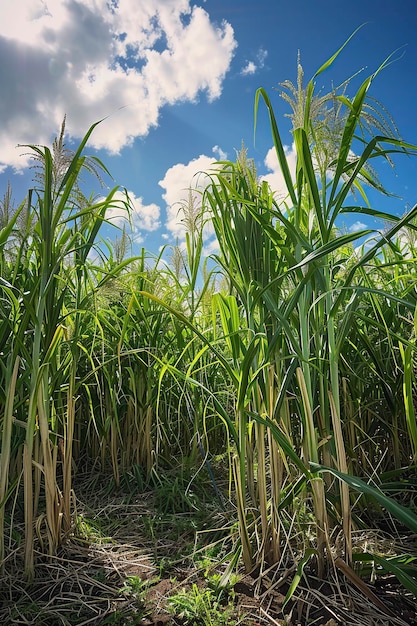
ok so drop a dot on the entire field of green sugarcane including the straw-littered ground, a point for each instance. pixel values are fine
(214, 441)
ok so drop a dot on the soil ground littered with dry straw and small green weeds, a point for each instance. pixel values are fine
(127, 560)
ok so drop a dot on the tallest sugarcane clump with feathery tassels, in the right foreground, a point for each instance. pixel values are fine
(298, 283)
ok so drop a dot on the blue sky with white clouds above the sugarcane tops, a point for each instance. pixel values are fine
(177, 81)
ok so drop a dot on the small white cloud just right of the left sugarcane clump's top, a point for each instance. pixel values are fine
(130, 211)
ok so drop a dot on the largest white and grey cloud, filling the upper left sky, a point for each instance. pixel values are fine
(90, 58)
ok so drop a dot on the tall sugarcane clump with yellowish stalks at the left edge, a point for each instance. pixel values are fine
(46, 291)
